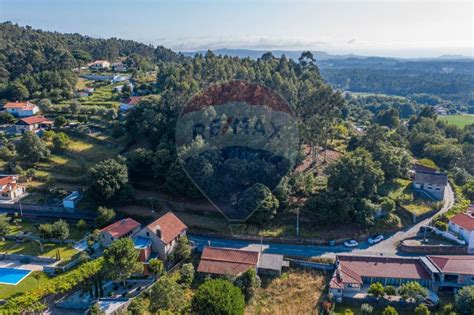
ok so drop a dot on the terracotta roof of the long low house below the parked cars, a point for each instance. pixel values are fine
(353, 267)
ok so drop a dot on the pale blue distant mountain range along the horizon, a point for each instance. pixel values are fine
(318, 55)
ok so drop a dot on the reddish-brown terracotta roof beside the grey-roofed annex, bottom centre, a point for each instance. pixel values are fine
(227, 261)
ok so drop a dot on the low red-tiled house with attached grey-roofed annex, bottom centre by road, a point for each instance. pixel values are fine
(233, 262)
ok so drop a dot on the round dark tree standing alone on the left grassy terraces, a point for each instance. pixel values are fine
(108, 177)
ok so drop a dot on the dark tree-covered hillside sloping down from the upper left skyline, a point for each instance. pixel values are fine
(38, 64)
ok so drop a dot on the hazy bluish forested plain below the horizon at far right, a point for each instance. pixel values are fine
(451, 81)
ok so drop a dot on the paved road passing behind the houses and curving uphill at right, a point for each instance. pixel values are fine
(386, 247)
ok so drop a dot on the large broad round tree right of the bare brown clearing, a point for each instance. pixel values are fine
(356, 173)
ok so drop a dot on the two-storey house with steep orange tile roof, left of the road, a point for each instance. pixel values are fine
(160, 236)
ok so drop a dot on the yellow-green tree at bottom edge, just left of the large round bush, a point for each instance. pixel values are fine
(166, 294)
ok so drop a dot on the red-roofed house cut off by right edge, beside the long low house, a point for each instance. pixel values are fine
(452, 272)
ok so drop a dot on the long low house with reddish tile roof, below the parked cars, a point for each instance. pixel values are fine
(354, 273)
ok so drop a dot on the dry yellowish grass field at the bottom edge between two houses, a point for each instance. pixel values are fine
(295, 292)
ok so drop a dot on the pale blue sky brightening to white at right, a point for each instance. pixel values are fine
(399, 28)
